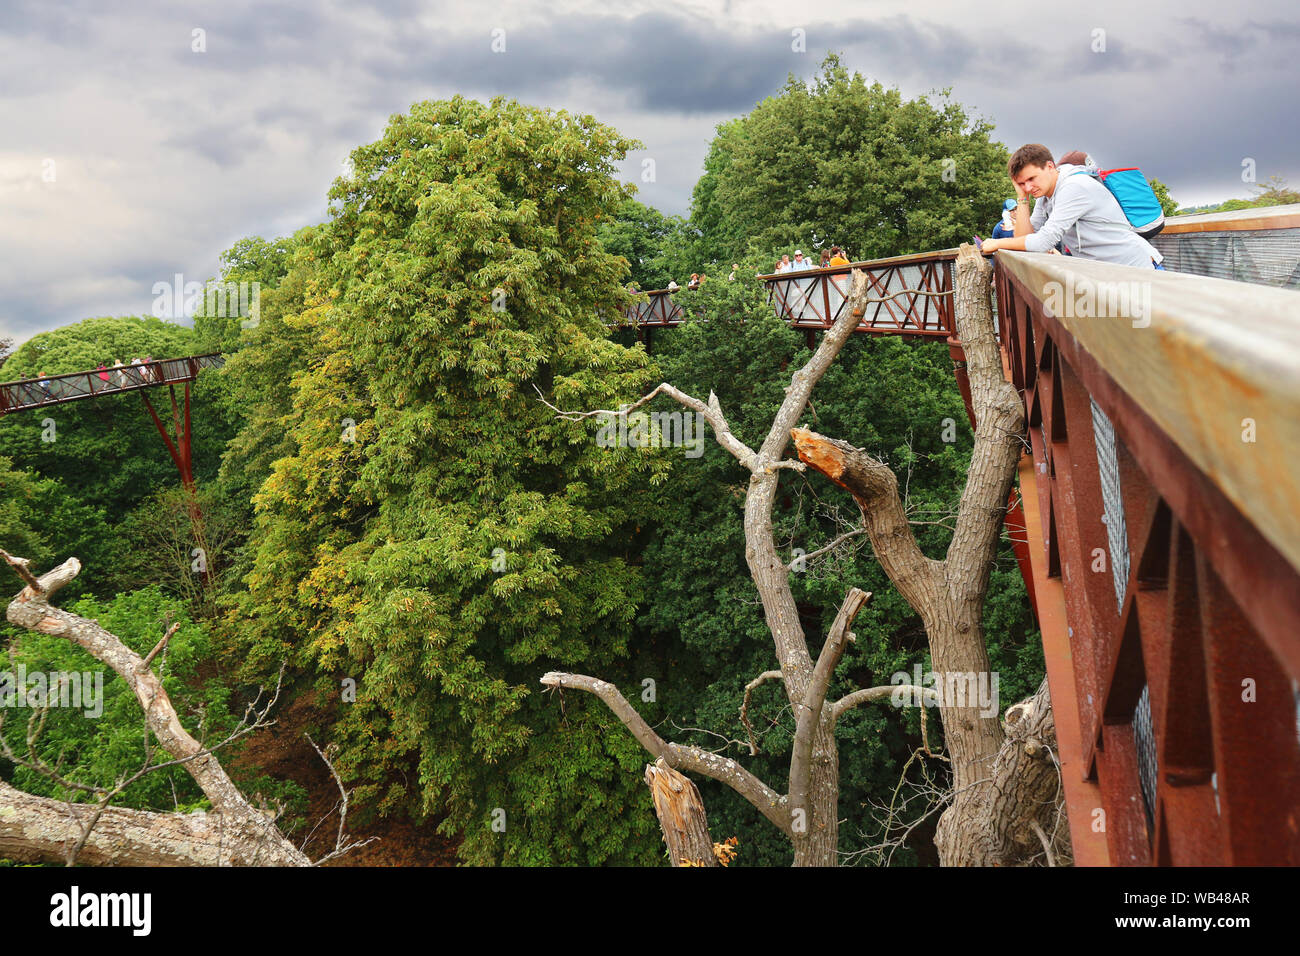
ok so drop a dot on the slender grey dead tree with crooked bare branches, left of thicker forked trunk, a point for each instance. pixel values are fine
(809, 812)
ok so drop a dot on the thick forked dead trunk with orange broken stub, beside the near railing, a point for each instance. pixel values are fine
(1006, 793)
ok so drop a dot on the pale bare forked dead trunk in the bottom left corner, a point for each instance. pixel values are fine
(233, 833)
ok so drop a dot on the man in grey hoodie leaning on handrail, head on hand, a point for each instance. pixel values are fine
(1072, 206)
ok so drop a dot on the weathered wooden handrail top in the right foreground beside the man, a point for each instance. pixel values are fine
(1215, 354)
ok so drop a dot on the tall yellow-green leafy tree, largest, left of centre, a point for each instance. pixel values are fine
(437, 534)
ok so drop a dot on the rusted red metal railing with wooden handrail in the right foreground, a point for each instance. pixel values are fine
(1162, 499)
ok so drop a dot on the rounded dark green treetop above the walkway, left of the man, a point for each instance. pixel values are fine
(843, 162)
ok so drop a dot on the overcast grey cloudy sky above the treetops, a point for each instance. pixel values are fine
(128, 157)
